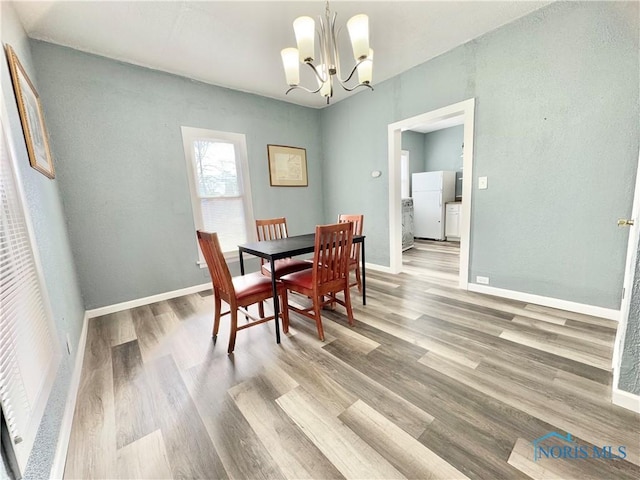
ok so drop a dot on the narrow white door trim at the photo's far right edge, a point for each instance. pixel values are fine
(629, 274)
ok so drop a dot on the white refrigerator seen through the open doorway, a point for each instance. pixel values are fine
(430, 192)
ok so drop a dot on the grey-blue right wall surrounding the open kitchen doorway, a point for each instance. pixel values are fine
(549, 89)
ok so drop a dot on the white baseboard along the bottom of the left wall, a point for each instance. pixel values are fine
(60, 457)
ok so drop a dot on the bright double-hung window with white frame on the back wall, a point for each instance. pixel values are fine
(220, 188)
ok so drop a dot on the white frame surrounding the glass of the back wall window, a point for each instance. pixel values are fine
(191, 134)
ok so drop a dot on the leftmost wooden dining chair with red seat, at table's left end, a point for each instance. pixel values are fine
(238, 292)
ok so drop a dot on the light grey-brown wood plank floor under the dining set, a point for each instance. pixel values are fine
(431, 383)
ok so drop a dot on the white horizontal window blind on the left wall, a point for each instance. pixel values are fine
(28, 349)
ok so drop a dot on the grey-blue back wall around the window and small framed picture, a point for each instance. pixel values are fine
(115, 132)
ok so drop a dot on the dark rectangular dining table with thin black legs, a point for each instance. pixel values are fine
(272, 250)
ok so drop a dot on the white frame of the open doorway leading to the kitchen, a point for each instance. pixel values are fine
(466, 111)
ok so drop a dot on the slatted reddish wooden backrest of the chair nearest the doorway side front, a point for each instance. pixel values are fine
(331, 255)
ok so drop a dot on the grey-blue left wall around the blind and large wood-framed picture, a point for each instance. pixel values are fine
(49, 228)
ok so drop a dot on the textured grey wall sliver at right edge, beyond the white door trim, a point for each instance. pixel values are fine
(630, 364)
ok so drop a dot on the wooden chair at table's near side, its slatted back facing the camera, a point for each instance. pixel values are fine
(328, 275)
